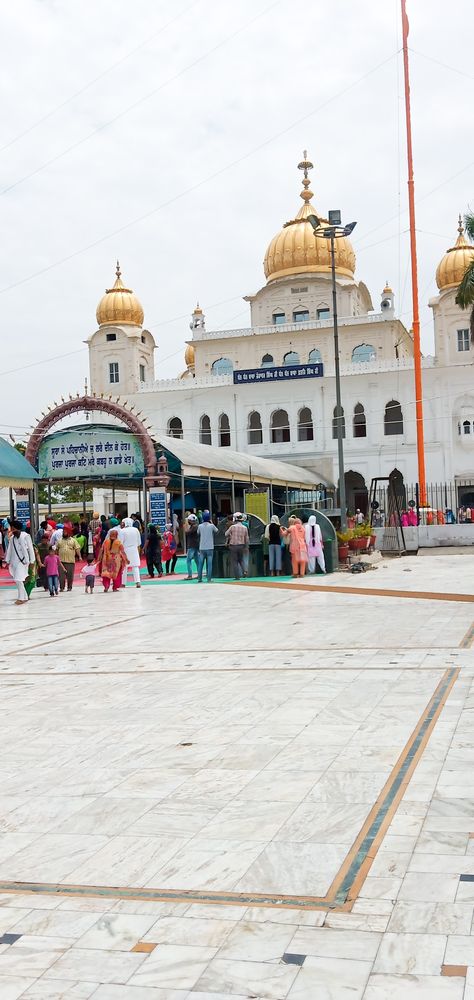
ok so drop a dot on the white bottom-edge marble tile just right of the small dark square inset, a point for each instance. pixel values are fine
(329, 980)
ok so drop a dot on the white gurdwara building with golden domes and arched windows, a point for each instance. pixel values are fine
(269, 389)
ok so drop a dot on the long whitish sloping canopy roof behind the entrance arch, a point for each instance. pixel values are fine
(225, 463)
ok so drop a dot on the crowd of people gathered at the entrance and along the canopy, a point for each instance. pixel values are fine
(109, 548)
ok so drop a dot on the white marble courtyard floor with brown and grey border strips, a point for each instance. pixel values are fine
(188, 775)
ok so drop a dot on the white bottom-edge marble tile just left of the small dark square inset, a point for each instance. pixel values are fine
(260, 979)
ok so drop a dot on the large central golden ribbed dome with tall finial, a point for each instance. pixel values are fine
(296, 250)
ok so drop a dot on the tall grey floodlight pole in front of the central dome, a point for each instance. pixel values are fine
(333, 231)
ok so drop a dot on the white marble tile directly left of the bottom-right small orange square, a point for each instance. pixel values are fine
(415, 953)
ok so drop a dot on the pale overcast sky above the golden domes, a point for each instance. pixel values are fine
(167, 134)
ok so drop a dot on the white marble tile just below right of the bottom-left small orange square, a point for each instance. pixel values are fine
(173, 966)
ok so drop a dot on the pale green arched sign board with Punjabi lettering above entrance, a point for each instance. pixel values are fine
(91, 452)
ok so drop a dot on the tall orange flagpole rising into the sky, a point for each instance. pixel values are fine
(420, 442)
